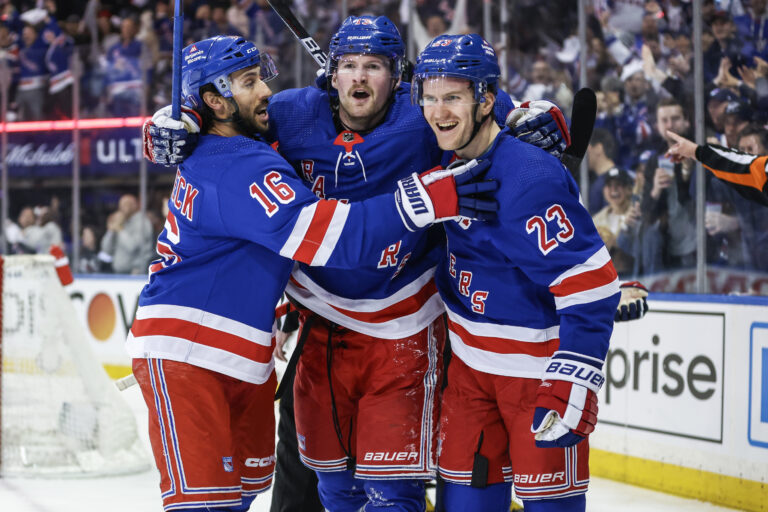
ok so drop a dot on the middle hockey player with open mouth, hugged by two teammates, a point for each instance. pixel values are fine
(349, 142)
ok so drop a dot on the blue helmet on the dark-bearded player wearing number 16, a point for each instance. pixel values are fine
(212, 60)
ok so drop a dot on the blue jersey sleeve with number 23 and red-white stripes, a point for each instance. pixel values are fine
(551, 237)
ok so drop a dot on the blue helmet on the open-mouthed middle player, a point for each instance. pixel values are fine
(367, 35)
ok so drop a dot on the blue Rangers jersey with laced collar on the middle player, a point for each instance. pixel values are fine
(392, 295)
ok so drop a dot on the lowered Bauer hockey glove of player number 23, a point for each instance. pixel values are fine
(566, 402)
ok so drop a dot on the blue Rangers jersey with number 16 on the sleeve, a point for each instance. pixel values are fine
(238, 216)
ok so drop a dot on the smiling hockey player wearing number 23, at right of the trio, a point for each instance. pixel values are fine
(530, 302)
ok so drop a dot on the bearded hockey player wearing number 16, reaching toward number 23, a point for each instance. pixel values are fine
(203, 335)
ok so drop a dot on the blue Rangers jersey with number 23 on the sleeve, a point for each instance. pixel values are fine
(536, 281)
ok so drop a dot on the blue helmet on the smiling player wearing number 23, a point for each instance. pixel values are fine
(459, 56)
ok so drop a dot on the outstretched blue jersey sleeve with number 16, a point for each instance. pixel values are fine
(271, 206)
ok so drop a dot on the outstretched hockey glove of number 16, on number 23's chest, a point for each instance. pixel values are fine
(442, 194)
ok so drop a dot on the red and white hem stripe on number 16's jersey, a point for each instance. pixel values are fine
(203, 339)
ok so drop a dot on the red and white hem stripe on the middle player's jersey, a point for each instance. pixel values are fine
(407, 311)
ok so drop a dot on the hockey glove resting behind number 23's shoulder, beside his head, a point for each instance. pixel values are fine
(542, 124)
